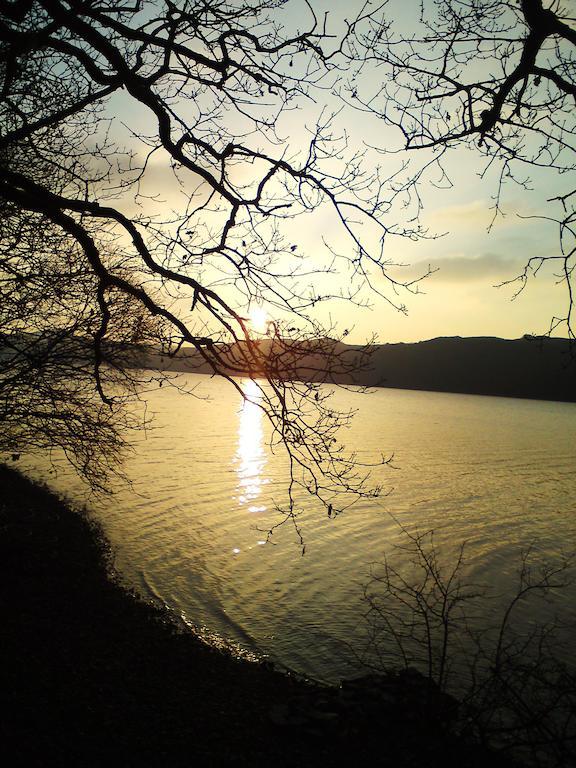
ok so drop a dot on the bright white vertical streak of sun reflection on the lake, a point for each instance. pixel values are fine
(251, 456)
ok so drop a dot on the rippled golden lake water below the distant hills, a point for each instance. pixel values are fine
(497, 473)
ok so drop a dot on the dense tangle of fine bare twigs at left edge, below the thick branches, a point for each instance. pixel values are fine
(48, 316)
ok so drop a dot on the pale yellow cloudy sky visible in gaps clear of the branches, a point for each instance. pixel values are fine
(469, 257)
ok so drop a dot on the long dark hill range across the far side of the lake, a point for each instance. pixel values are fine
(539, 368)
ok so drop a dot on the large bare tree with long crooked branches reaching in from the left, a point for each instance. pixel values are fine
(91, 258)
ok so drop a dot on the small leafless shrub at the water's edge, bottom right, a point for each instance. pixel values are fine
(515, 693)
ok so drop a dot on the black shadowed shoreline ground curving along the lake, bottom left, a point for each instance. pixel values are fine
(91, 675)
